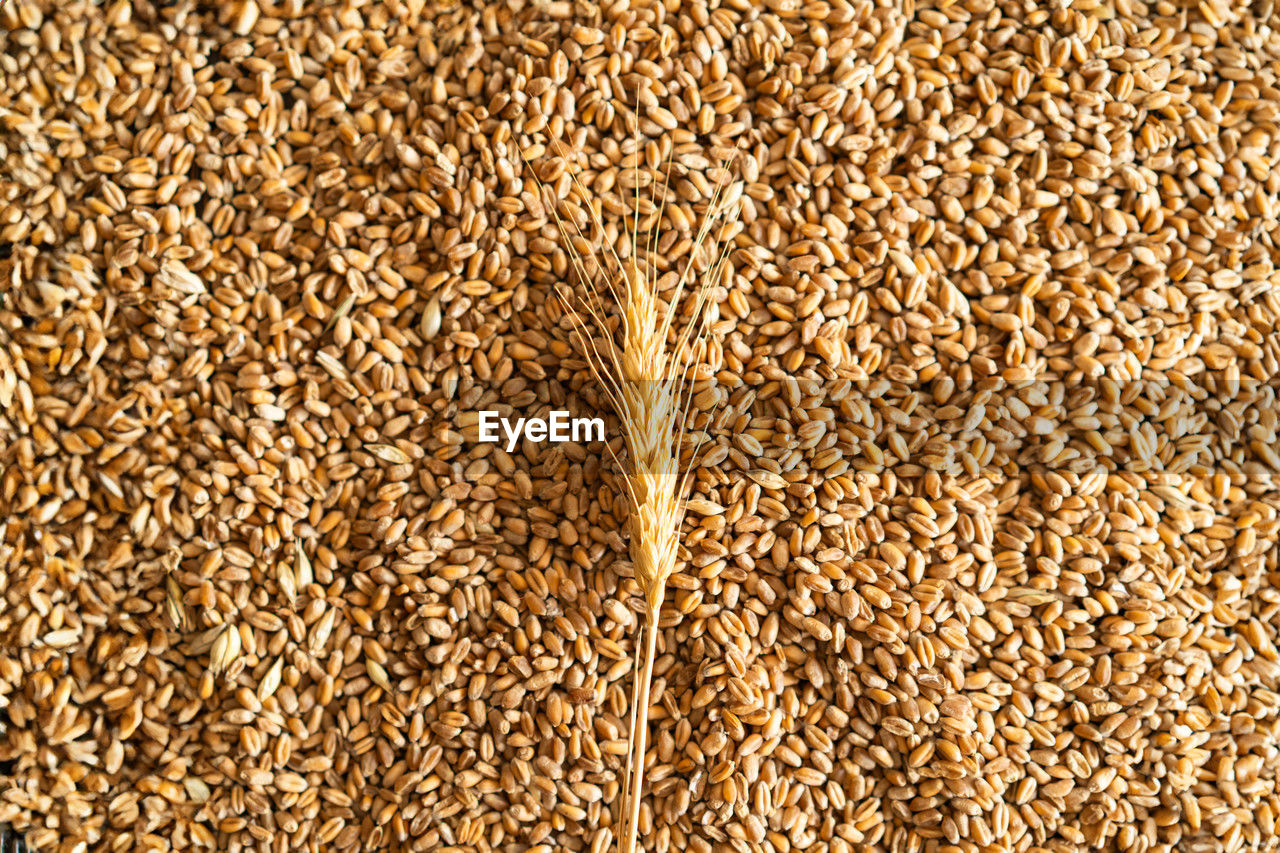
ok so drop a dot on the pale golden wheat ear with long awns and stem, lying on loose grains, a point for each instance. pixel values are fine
(646, 364)
